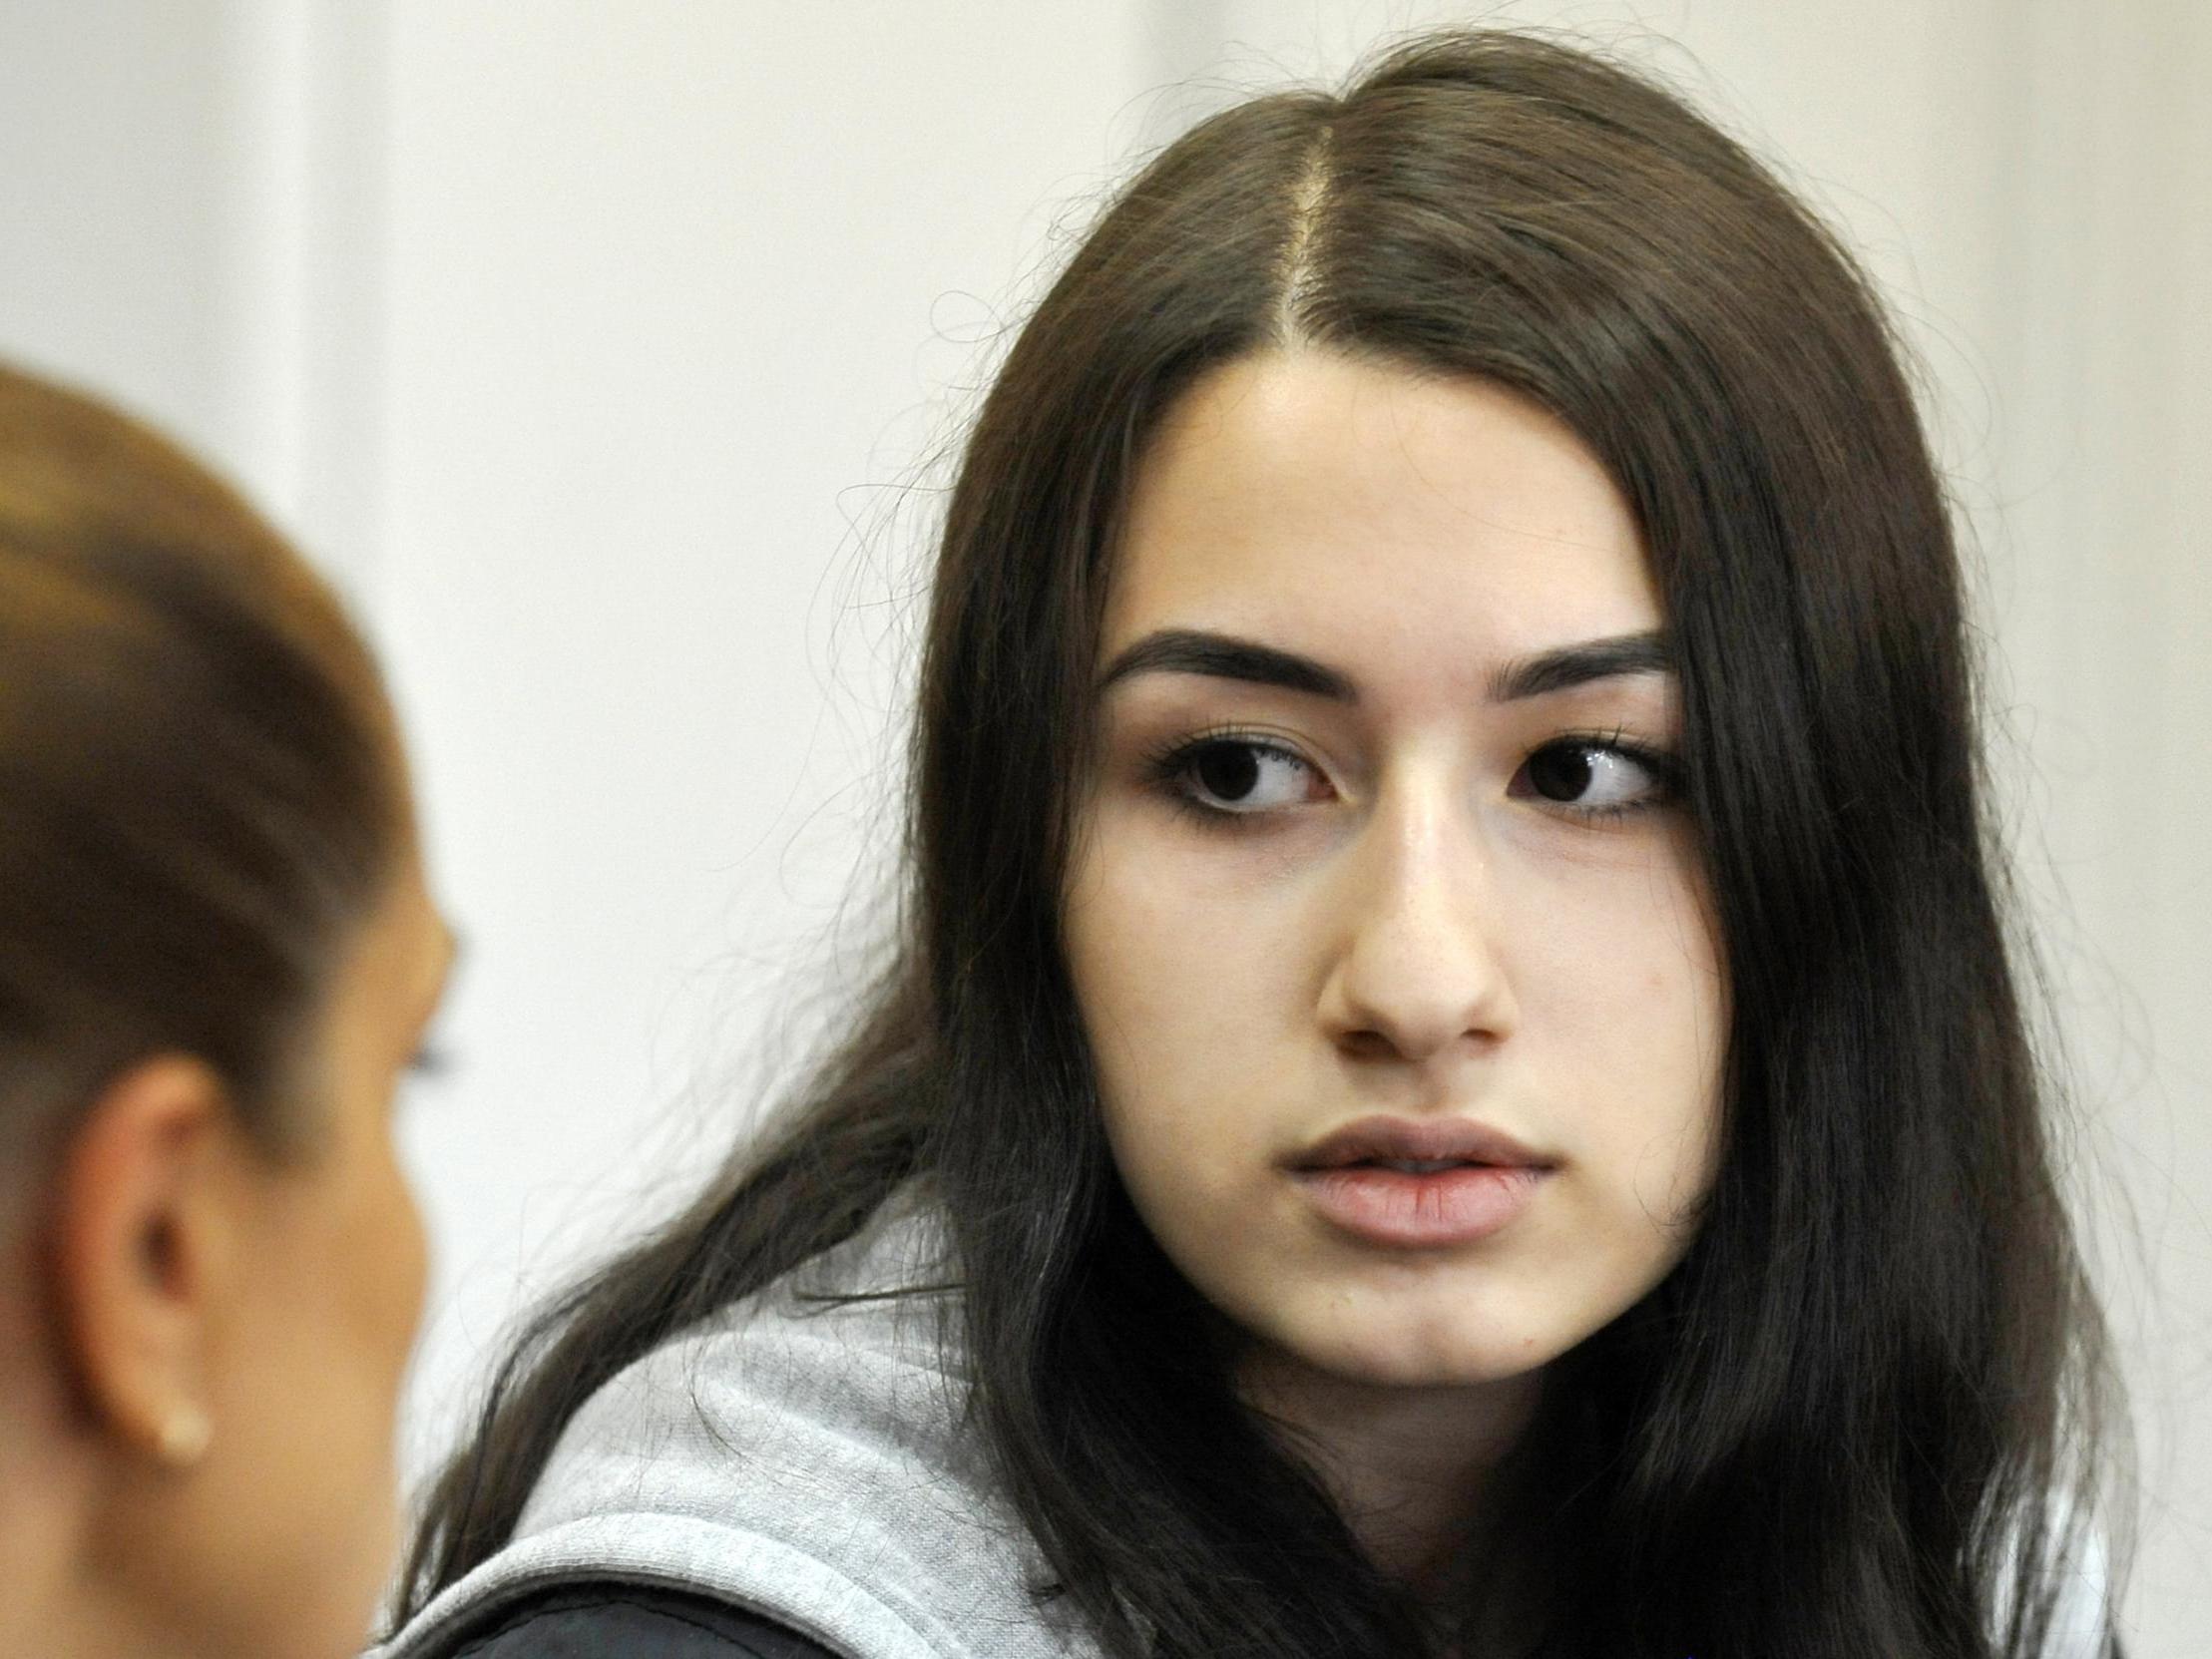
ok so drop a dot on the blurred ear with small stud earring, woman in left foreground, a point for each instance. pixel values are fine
(143, 1238)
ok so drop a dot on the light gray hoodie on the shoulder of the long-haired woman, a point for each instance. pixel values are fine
(802, 1459)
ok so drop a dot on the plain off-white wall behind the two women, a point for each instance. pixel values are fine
(598, 348)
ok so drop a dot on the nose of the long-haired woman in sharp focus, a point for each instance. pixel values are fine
(1415, 968)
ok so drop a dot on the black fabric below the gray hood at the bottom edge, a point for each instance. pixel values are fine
(612, 1620)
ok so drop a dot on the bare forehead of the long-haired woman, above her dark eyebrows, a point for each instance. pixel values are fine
(1377, 517)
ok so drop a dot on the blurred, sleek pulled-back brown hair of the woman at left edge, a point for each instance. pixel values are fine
(198, 778)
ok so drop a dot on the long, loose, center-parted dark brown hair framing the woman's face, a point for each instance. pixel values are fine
(1861, 1412)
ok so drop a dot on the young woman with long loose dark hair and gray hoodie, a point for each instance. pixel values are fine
(1452, 1081)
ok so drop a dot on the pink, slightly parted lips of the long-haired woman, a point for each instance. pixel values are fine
(1494, 1182)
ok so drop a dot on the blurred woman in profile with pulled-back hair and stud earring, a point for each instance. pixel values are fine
(216, 959)
